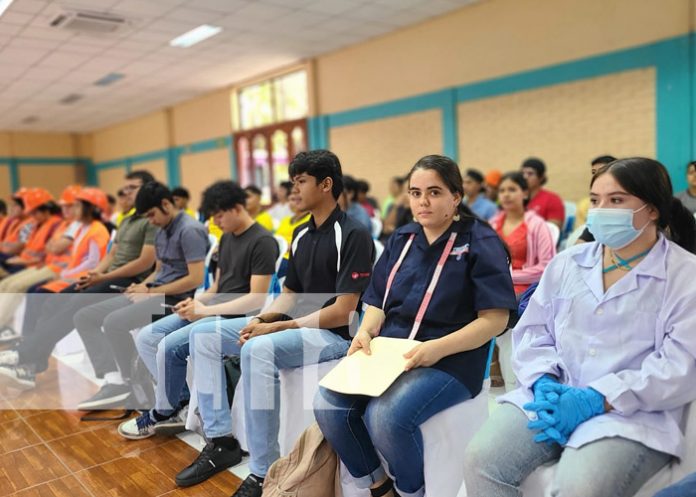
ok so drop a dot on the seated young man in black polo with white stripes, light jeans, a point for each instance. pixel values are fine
(332, 255)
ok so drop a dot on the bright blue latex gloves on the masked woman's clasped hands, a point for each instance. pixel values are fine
(558, 420)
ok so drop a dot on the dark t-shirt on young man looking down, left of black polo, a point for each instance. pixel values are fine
(253, 252)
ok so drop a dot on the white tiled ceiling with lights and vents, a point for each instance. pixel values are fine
(40, 65)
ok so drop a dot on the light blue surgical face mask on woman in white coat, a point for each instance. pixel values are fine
(613, 227)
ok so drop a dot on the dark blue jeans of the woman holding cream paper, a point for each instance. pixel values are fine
(358, 426)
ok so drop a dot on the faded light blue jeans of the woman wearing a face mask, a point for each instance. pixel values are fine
(503, 453)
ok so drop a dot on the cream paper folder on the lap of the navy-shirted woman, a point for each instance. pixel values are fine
(362, 374)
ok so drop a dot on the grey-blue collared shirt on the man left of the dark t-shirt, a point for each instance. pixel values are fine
(183, 241)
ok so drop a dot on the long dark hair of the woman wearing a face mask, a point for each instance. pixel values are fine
(648, 180)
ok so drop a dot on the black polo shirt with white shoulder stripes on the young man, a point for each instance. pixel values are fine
(334, 258)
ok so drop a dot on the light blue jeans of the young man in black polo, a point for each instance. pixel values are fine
(262, 358)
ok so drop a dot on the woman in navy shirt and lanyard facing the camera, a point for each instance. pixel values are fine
(445, 281)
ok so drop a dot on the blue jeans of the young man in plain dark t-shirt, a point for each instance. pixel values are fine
(164, 348)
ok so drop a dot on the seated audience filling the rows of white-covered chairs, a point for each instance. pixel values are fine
(603, 354)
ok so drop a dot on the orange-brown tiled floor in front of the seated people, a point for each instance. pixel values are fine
(51, 453)
